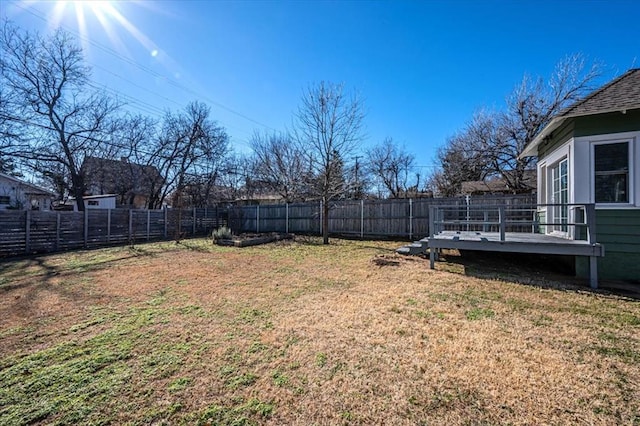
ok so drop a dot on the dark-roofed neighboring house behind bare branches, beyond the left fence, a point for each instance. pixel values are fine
(131, 183)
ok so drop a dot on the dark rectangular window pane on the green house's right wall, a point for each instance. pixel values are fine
(611, 172)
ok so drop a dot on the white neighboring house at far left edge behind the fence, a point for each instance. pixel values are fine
(18, 194)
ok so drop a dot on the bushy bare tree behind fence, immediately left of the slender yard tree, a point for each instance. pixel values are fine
(280, 165)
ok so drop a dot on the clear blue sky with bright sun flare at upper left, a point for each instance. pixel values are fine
(421, 67)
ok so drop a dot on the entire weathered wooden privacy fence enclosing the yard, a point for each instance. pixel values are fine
(25, 232)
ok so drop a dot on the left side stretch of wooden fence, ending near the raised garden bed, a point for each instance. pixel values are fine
(26, 231)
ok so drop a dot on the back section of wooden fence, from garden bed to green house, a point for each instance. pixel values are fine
(402, 218)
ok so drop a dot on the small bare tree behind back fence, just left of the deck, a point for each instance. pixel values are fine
(391, 166)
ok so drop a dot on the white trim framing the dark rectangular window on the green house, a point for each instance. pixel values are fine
(631, 138)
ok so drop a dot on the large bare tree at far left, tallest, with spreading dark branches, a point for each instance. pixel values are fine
(63, 119)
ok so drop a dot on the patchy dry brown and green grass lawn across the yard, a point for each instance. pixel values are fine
(300, 333)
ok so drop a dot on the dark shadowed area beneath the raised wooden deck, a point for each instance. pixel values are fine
(555, 272)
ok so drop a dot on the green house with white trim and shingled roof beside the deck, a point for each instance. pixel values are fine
(590, 153)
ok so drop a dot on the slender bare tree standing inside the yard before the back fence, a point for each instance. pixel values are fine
(328, 127)
